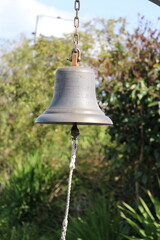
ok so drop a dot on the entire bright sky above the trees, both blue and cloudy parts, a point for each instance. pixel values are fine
(19, 16)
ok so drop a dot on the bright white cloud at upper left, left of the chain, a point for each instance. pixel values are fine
(19, 16)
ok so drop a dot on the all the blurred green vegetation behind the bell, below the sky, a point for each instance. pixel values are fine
(114, 164)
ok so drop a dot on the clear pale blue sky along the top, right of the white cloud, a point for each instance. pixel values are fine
(111, 8)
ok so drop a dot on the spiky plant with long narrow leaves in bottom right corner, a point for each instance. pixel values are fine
(145, 221)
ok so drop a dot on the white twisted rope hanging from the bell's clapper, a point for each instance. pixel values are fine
(72, 167)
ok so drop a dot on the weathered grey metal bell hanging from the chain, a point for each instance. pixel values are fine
(74, 99)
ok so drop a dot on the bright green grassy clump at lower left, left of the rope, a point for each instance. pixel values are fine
(27, 188)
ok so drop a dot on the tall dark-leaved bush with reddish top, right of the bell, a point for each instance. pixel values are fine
(128, 71)
